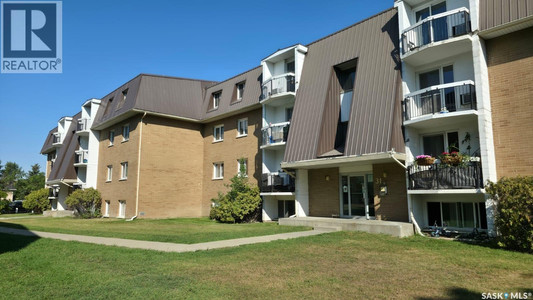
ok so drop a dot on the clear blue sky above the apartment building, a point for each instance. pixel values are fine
(107, 43)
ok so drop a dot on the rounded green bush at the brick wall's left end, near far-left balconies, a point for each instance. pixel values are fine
(85, 203)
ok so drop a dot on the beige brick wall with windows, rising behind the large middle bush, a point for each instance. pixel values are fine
(229, 151)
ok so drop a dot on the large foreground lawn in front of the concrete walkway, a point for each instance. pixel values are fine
(341, 265)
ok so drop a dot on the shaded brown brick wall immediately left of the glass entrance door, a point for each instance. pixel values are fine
(324, 198)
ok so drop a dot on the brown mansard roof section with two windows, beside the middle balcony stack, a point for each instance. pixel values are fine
(251, 95)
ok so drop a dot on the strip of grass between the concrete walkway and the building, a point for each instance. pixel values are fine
(187, 231)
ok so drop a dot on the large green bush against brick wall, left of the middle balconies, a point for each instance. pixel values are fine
(242, 203)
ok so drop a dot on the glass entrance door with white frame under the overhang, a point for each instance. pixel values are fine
(357, 196)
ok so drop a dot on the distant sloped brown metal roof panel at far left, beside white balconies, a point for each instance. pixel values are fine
(64, 164)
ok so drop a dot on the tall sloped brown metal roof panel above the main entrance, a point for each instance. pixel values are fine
(374, 42)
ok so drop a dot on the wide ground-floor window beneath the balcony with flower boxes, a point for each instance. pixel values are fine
(457, 214)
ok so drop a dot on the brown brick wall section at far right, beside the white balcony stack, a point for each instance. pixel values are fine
(510, 64)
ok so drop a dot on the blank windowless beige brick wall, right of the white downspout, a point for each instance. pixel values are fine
(171, 169)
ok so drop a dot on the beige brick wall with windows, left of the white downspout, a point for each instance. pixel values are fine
(121, 151)
